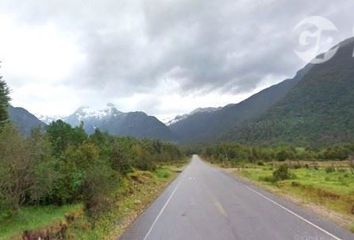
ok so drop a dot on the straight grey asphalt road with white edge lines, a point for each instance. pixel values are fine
(204, 203)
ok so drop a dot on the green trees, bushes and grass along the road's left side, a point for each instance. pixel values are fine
(61, 173)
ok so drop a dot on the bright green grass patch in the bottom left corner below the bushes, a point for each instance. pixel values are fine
(34, 218)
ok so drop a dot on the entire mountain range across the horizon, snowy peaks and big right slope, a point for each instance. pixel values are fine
(316, 106)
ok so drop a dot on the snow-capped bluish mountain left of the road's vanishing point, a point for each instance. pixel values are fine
(135, 124)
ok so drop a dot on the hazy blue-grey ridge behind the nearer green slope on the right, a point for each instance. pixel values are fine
(206, 125)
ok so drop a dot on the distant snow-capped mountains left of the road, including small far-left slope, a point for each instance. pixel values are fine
(108, 119)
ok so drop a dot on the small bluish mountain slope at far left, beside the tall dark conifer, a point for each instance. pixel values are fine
(24, 120)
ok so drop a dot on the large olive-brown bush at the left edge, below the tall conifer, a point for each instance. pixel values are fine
(26, 168)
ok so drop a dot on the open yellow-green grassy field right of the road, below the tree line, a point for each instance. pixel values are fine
(326, 187)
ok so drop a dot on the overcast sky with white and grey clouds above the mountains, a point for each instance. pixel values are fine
(163, 57)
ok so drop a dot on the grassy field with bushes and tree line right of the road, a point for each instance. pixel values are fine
(324, 177)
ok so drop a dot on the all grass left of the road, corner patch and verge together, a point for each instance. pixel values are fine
(133, 194)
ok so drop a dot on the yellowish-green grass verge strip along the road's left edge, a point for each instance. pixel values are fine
(131, 198)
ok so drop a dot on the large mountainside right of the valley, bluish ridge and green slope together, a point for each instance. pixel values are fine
(316, 107)
